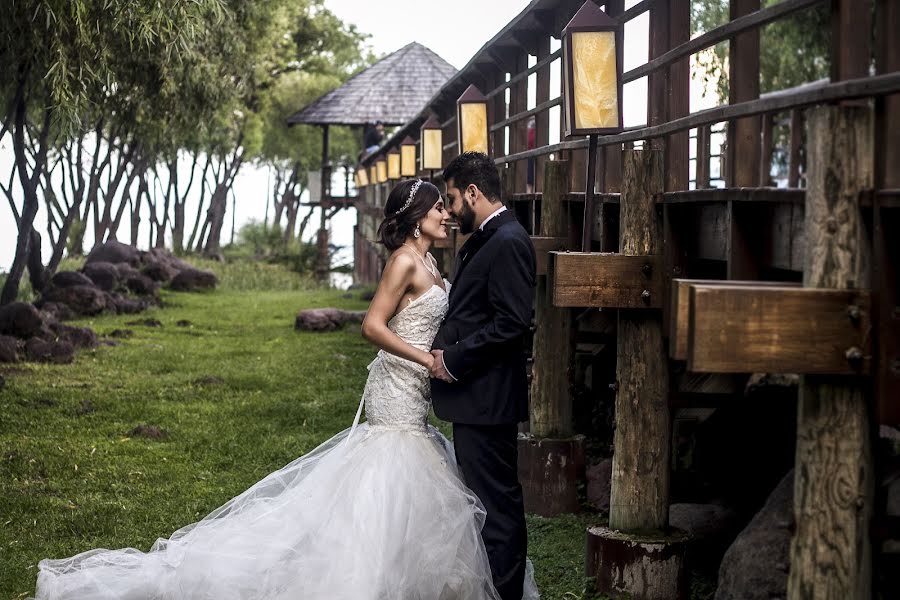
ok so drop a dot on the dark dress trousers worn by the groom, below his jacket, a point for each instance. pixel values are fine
(488, 459)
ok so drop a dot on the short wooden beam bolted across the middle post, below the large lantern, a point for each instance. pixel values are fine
(605, 280)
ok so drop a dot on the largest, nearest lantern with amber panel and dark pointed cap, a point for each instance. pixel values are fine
(592, 73)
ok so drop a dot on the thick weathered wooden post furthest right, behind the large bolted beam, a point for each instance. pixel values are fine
(831, 553)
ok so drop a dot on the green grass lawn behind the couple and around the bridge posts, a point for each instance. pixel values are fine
(239, 394)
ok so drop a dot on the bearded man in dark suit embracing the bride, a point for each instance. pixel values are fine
(478, 379)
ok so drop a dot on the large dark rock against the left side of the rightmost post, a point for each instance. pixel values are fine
(755, 567)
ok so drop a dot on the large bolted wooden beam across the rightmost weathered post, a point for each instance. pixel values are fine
(769, 329)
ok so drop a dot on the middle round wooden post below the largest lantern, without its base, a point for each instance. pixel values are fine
(640, 477)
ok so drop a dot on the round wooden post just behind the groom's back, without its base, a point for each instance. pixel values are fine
(551, 402)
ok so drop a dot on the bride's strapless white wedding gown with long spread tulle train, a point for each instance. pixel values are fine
(378, 512)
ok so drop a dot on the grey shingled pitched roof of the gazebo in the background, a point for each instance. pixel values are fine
(392, 91)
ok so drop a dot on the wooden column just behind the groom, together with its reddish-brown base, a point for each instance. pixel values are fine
(551, 461)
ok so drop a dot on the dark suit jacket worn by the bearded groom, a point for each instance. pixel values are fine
(491, 304)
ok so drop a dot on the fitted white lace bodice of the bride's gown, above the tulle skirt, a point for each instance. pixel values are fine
(397, 393)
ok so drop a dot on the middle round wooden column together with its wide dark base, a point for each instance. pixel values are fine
(636, 556)
